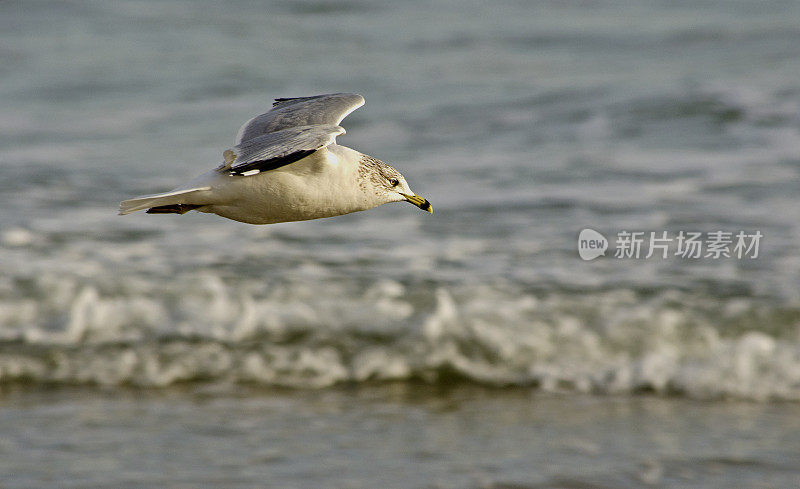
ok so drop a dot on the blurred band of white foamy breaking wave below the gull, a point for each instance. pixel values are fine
(611, 341)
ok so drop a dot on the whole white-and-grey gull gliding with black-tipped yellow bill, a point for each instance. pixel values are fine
(285, 166)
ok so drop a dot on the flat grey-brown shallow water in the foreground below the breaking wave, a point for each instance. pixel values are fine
(399, 435)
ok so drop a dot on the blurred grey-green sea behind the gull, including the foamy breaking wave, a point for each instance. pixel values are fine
(524, 124)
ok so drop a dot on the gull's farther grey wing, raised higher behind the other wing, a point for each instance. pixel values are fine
(301, 111)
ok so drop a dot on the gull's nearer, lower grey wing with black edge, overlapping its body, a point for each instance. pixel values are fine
(277, 149)
